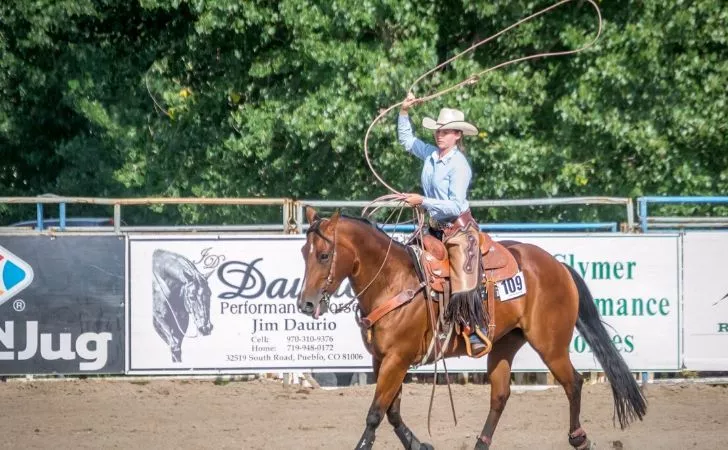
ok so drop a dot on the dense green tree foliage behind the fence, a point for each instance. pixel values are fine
(272, 99)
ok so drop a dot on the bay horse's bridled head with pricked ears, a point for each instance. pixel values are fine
(328, 262)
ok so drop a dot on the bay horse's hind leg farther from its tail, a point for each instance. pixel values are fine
(499, 375)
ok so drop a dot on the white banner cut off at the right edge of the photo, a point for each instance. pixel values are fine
(706, 300)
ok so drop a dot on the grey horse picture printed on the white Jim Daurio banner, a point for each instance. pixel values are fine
(179, 291)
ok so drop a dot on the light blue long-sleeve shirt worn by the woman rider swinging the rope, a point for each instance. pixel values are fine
(445, 180)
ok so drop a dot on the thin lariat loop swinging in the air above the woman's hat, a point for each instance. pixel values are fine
(473, 79)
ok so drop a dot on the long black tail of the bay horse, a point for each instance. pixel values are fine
(629, 403)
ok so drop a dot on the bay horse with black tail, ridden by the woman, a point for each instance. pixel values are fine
(557, 301)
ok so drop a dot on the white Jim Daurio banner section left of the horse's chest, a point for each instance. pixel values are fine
(229, 305)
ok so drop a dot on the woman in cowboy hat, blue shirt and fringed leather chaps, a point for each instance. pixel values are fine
(445, 179)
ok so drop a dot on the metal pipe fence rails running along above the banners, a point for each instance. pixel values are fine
(292, 219)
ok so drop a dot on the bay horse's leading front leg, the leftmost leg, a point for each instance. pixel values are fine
(390, 372)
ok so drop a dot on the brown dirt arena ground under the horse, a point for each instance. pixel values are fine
(264, 414)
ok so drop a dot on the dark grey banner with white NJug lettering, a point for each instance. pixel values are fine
(61, 304)
